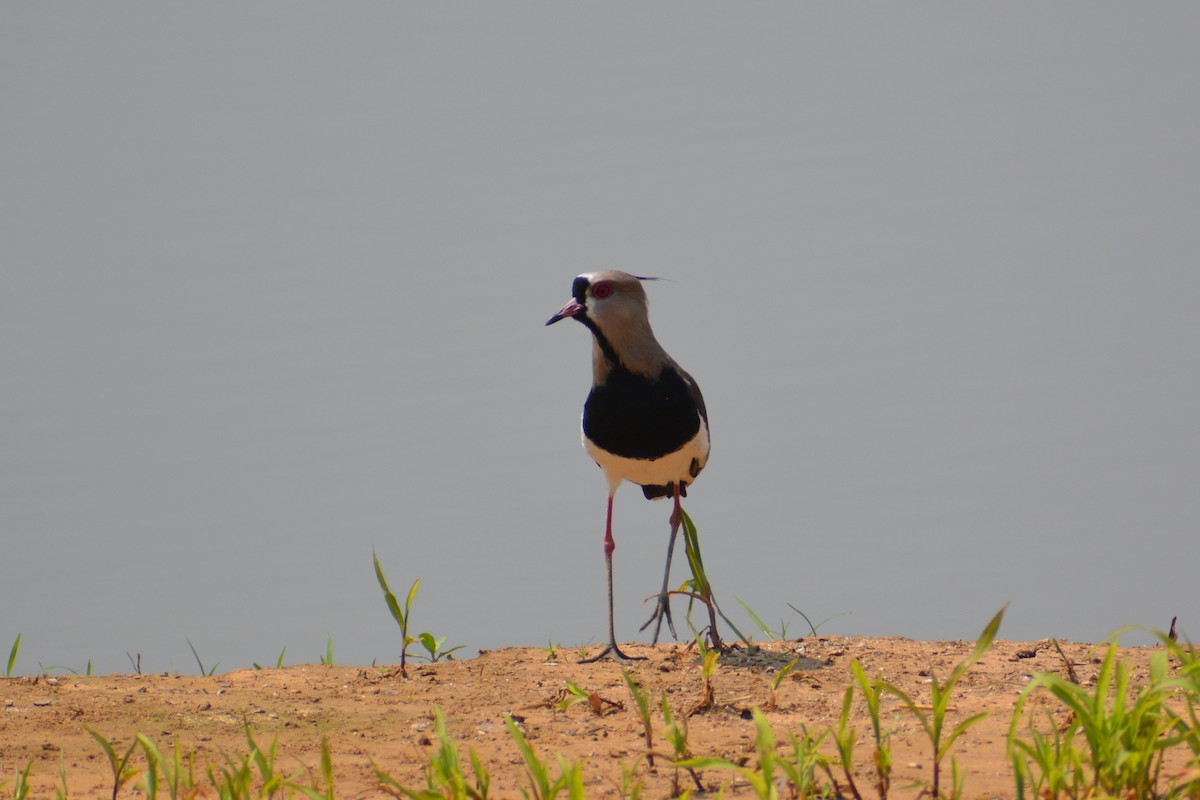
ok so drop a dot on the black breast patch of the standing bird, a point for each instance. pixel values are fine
(635, 417)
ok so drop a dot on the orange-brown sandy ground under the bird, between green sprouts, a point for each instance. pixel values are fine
(370, 715)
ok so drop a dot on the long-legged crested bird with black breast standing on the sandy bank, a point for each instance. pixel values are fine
(645, 419)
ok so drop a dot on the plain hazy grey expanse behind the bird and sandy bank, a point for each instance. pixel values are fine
(274, 282)
